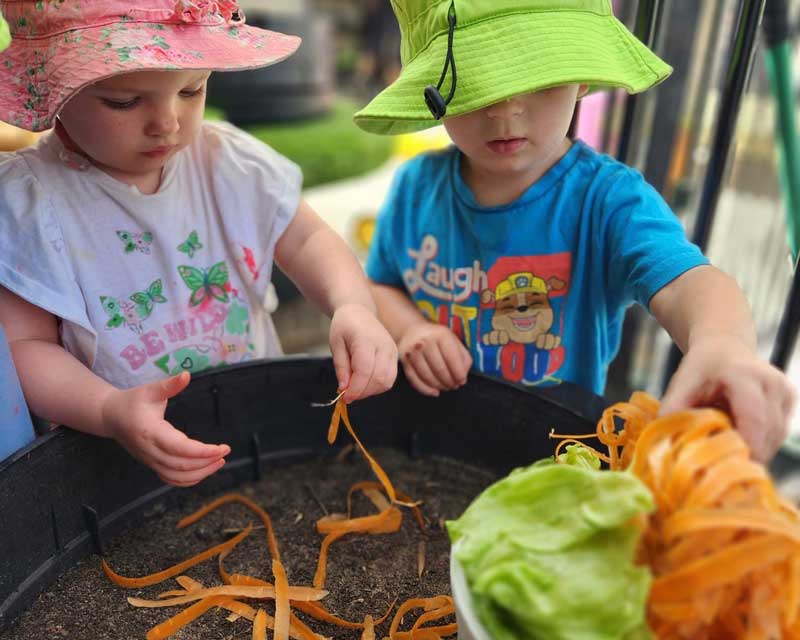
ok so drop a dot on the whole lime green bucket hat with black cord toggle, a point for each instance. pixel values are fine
(503, 48)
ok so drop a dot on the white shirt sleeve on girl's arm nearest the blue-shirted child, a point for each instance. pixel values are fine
(259, 191)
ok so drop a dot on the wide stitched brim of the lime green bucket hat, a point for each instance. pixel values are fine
(502, 57)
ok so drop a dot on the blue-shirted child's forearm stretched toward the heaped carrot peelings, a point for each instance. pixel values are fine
(704, 304)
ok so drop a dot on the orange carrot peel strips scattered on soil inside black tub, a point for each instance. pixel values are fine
(430, 625)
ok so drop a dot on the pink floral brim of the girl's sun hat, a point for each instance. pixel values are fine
(39, 76)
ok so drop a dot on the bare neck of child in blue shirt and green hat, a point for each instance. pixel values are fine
(493, 189)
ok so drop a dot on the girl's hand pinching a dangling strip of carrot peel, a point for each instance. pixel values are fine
(364, 354)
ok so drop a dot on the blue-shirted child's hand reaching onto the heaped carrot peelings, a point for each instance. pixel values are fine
(725, 373)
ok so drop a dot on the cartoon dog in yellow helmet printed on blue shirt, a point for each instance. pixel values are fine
(522, 311)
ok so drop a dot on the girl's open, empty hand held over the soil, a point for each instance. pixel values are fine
(135, 418)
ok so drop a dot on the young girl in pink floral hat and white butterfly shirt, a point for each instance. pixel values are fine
(136, 241)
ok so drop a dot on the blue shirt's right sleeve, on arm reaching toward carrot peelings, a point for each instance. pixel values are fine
(645, 244)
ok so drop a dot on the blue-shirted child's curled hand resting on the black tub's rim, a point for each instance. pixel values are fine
(434, 359)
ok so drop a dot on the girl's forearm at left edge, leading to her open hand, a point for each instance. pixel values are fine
(59, 388)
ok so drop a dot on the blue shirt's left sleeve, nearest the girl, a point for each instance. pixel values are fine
(382, 262)
